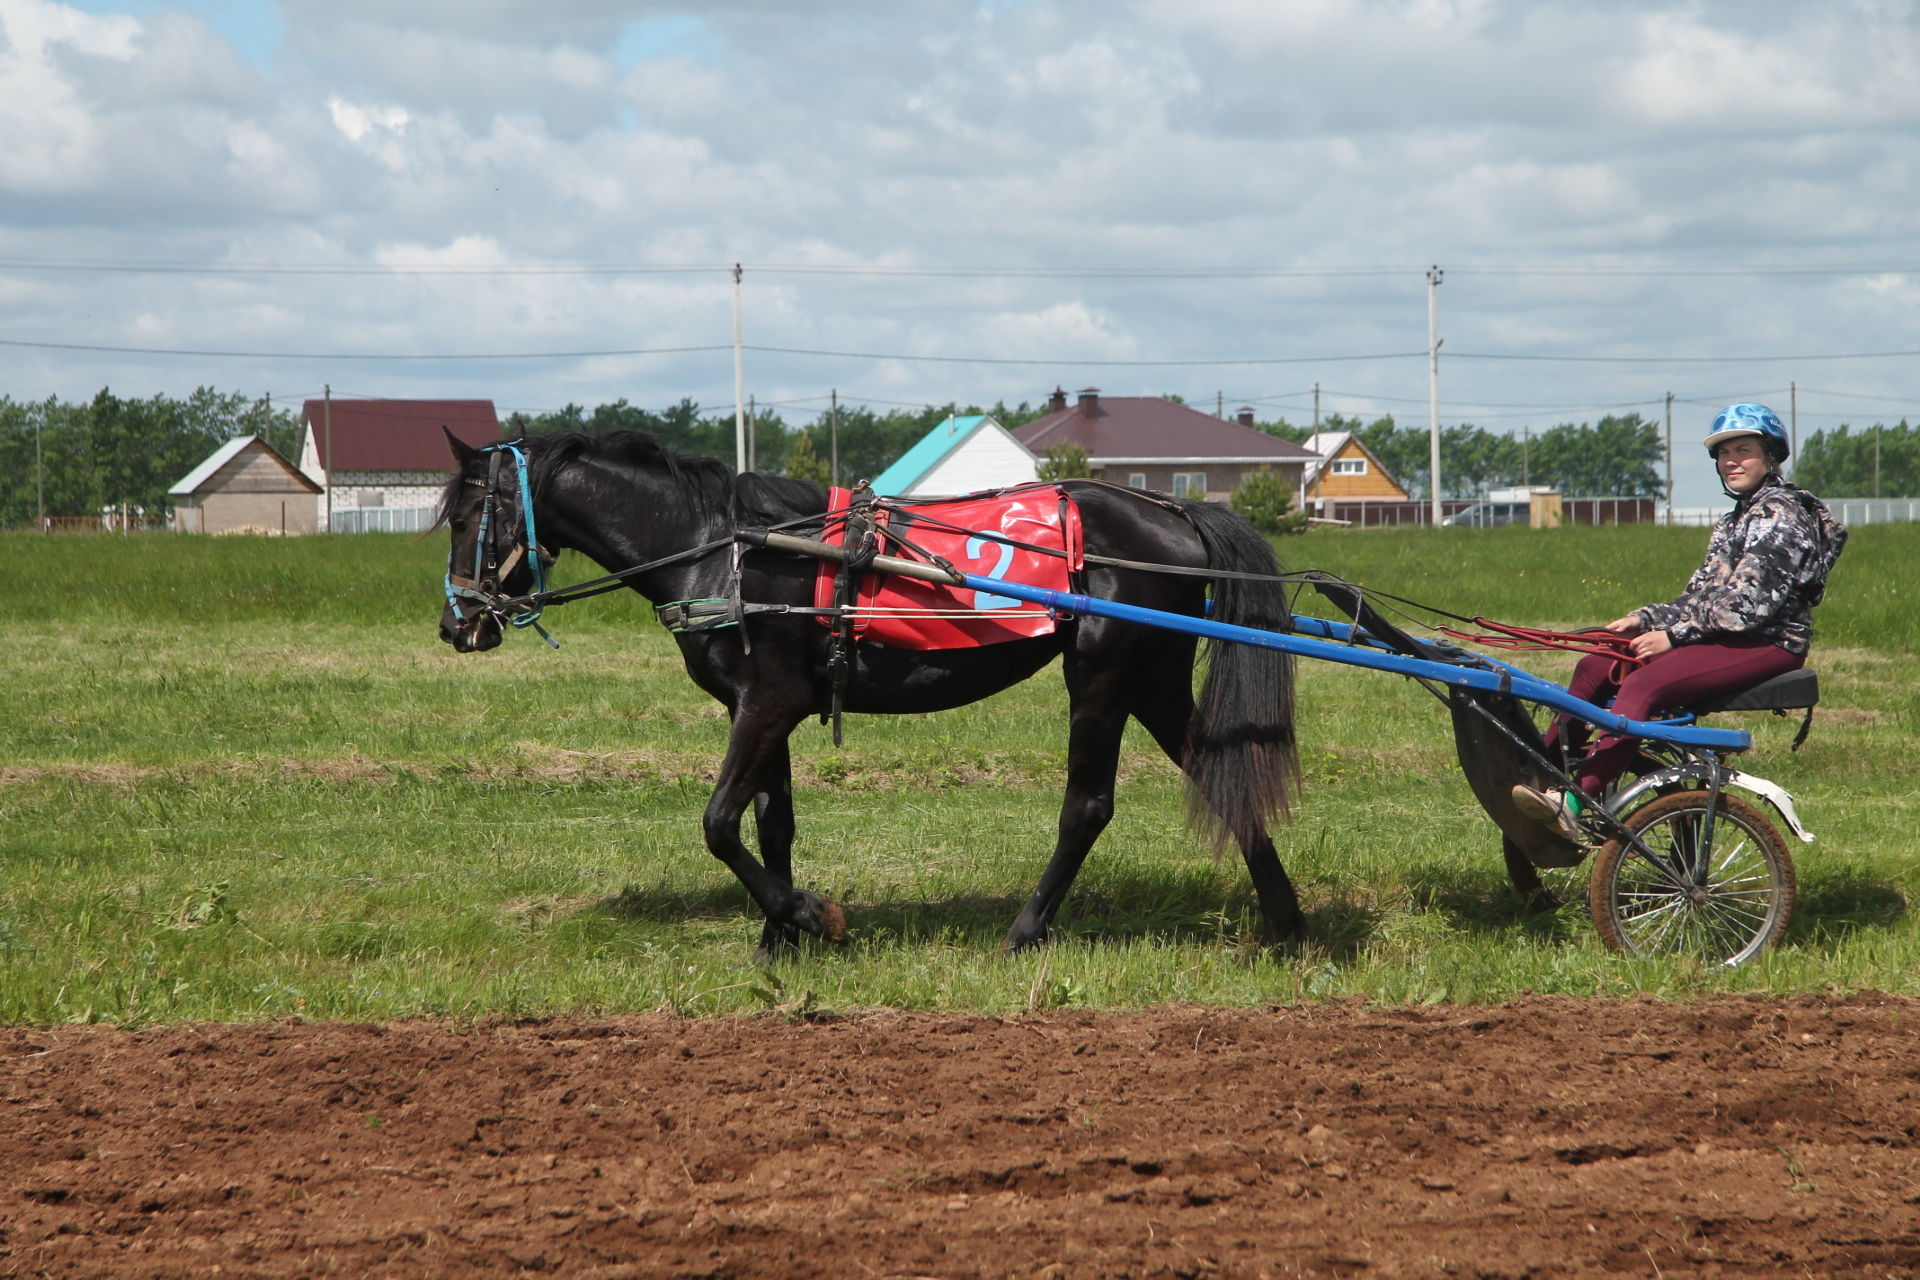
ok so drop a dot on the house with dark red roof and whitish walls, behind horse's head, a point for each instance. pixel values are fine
(385, 462)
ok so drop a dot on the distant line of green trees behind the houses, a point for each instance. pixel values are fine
(80, 458)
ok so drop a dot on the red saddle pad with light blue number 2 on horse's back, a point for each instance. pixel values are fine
(976, 534)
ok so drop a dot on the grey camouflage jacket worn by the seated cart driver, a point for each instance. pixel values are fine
(1765, 571)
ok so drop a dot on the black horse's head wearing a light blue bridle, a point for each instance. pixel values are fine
(492, 559)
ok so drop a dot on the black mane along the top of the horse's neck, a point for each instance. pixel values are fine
(752, 500)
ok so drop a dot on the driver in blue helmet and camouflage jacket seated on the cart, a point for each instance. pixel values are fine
(1742, 619)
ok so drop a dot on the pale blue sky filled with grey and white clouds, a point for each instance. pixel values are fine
(1237, 202)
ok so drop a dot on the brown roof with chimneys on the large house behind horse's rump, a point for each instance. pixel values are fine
(1145, 429)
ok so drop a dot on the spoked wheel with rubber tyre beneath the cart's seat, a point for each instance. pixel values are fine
(1717, 891)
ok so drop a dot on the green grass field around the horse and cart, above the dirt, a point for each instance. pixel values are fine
(243, 778)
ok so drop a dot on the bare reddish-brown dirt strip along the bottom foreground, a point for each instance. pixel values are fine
(1535, 1139)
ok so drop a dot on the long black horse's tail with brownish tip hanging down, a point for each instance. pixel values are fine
(1243, 761)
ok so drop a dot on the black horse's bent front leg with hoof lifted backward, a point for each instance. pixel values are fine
(759, 744)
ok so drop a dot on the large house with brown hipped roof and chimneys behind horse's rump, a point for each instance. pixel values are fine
(1157, 444)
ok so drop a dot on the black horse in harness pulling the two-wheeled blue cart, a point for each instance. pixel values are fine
(627, 502)
